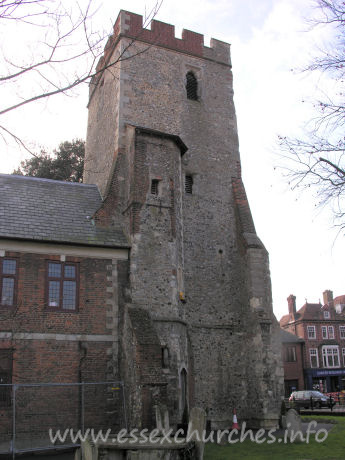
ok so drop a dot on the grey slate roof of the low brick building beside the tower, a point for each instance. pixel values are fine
(53, 211)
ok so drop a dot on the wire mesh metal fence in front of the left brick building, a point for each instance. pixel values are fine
(32, 415)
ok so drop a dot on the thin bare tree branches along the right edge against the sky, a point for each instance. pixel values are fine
(318, 159)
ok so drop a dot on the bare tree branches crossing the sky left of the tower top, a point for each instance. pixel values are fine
(65, 37)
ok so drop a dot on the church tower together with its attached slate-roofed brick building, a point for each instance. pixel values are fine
(156, 270)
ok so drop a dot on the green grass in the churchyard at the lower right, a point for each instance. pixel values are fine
(332, 448)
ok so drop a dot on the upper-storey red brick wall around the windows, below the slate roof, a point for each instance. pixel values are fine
(31, 313)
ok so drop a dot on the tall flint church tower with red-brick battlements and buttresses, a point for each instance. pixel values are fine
(195, 326)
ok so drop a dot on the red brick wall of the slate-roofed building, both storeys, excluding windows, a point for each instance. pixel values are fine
(56, 361)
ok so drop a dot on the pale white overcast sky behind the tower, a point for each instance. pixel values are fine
(270, 41)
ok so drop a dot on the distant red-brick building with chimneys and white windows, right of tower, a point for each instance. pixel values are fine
(323, 329)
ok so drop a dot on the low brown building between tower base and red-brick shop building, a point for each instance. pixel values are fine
(292, 355)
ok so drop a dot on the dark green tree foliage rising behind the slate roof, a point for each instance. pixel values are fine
(65, 163)
